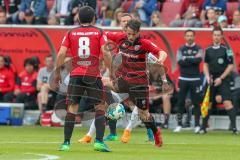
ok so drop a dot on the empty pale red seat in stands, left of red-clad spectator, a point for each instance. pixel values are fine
(170, 10)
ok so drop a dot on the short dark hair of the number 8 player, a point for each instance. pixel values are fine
(86, 14)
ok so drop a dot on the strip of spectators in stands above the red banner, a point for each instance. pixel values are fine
(154, 13)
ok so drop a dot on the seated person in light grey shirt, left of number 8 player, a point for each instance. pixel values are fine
(43, 83)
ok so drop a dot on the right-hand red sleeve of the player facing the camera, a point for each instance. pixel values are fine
(151, 47)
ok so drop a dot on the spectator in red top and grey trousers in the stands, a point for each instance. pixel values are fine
(189, 15)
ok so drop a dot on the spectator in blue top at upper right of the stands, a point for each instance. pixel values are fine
(219, 6)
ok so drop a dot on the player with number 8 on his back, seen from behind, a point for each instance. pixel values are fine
(85, 43)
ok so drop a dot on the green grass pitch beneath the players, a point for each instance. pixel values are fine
(20, 143)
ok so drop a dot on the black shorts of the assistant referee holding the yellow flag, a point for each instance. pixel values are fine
(224, 90)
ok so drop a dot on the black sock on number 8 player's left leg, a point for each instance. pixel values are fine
(68, 127)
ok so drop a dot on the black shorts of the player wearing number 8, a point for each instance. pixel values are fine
(85, 86)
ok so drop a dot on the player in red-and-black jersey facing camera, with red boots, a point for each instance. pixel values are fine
(133, 73)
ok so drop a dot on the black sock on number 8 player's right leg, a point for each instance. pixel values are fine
(100, 121)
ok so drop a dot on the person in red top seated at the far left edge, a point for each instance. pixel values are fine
(7, 79)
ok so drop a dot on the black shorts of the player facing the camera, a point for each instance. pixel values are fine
(138, 93)
